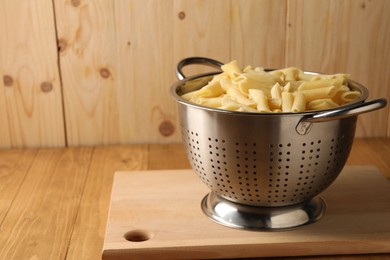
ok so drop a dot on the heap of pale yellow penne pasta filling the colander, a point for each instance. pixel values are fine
(284, 90)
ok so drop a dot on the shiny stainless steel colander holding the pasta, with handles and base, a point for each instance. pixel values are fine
(262, 165)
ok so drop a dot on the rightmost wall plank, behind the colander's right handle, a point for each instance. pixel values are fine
(344, 36)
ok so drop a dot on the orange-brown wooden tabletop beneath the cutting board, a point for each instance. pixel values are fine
(54, 202)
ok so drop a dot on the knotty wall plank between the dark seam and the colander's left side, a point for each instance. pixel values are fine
(117, 71)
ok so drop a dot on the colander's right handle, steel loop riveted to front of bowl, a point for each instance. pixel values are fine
(305, 123)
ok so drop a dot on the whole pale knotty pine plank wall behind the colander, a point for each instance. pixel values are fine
(78, 72)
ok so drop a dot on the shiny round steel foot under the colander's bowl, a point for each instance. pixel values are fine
(255, 218)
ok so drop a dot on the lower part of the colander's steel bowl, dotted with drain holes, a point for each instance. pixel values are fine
(279, 173)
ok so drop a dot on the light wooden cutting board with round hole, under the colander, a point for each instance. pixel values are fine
(157, 215)
